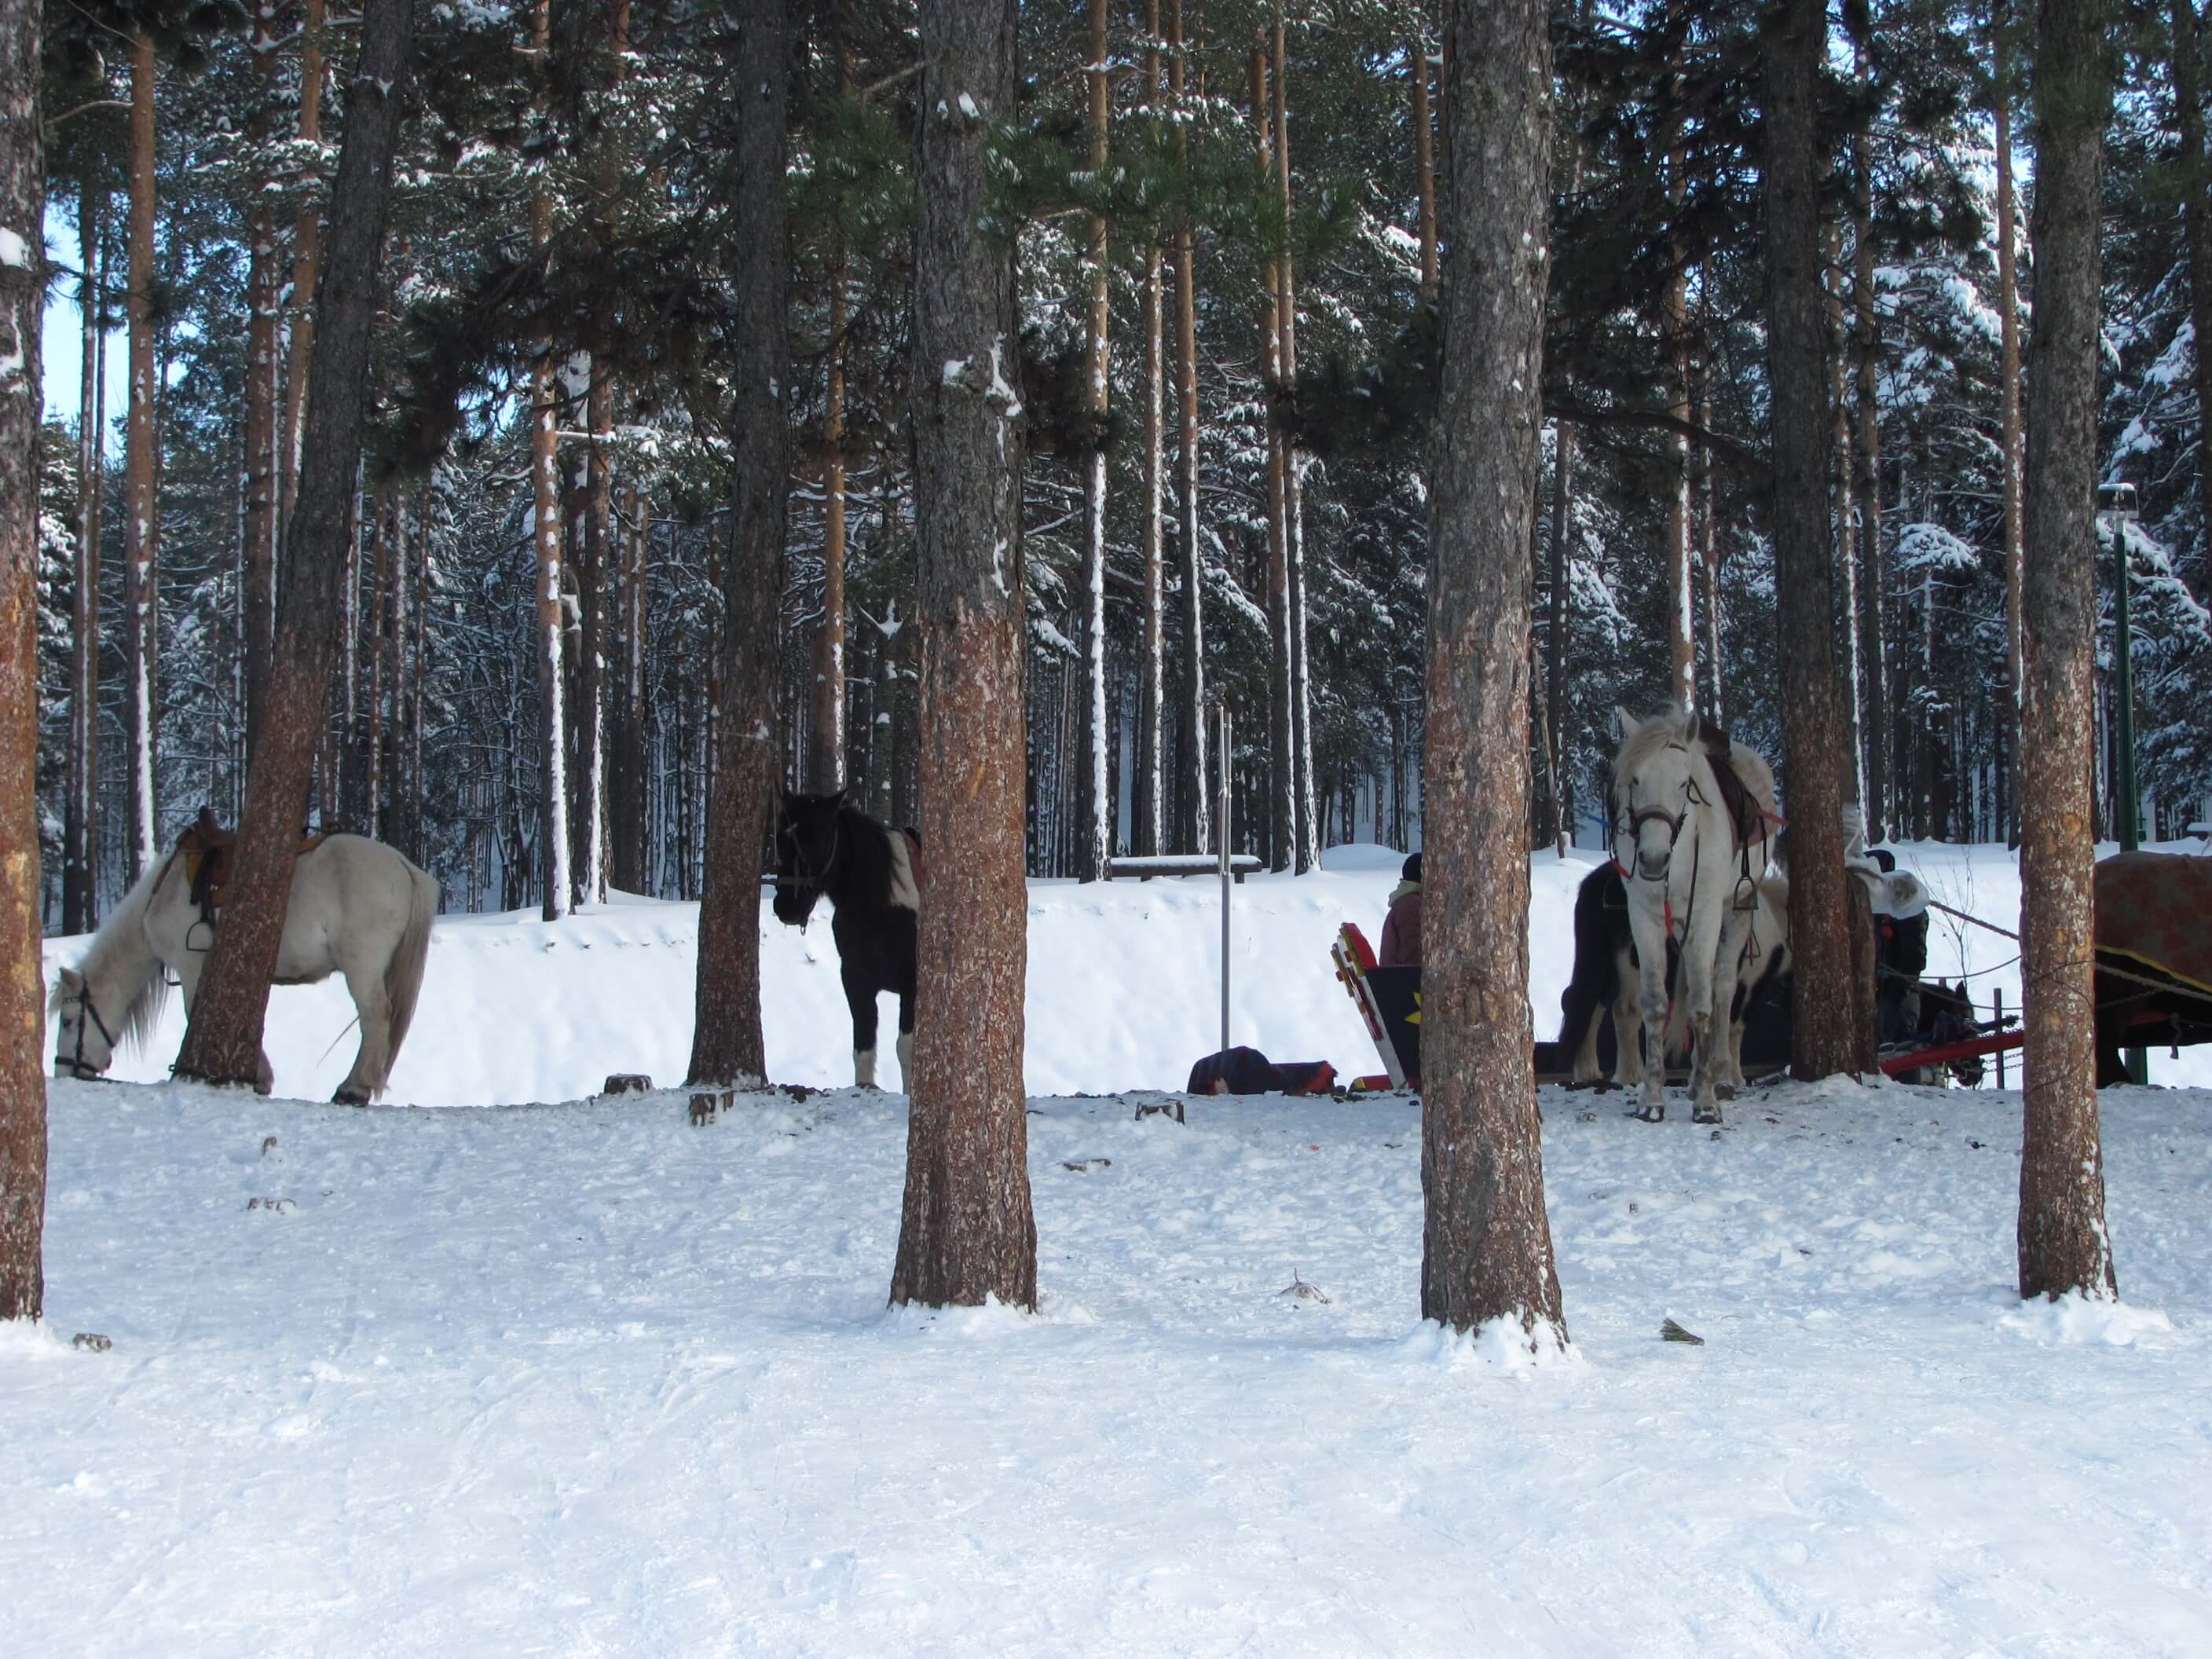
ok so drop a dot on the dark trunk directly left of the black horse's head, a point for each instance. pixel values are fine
(727, 1032)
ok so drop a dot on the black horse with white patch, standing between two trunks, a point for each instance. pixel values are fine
(873, 879)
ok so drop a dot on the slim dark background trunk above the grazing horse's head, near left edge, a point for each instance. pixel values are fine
(81, 831)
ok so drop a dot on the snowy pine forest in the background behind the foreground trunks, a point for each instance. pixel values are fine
(1227, 249)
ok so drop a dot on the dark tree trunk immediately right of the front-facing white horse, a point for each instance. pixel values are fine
(1824, 1034)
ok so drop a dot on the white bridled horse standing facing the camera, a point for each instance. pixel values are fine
(1691, 839)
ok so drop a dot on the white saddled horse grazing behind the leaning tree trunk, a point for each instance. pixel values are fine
(357, 908)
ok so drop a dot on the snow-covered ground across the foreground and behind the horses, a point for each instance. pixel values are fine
(587, 1381)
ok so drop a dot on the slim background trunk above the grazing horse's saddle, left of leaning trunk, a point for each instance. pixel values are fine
(262, 351)
